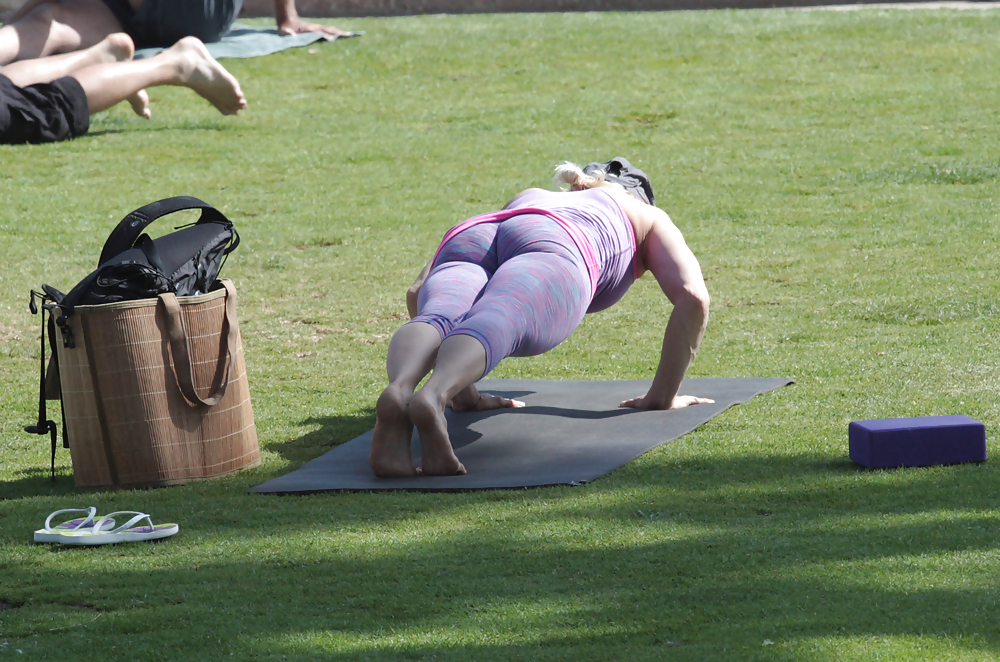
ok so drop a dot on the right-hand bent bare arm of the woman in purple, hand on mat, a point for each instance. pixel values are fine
(678, 273)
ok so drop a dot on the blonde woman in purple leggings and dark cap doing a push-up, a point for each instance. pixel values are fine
(517, 283)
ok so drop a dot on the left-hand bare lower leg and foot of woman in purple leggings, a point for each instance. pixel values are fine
(410, 357)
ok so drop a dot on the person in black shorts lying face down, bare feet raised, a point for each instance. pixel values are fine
(51, 99)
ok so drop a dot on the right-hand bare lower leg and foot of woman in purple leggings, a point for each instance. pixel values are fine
(460, 362)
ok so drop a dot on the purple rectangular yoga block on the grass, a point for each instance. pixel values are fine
(917, 442)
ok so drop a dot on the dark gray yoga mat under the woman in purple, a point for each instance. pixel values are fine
(570, 433)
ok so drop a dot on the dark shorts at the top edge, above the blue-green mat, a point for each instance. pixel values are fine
(163, 23)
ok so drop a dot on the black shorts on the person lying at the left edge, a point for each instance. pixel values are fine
(42, 113)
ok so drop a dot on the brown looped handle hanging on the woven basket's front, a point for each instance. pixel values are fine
(181, 353)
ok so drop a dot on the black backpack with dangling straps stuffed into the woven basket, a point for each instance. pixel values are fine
(133, 266)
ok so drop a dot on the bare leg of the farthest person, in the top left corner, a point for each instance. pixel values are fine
(57, 26)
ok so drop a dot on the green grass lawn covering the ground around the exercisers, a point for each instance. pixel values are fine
(836, 173)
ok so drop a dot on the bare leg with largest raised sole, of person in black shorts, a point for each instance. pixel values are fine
(186, 63)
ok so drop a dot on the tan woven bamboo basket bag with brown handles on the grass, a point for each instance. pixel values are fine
(155, 391)
